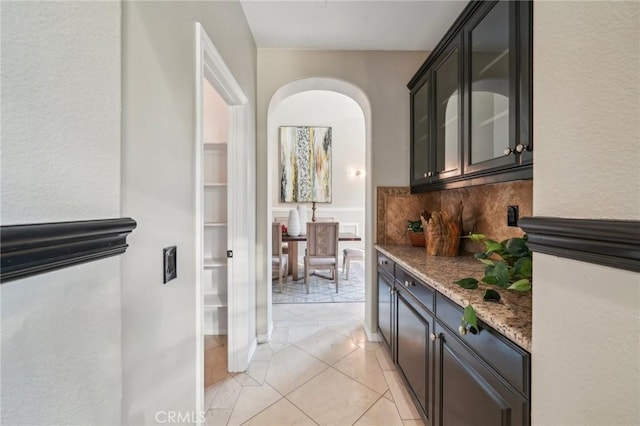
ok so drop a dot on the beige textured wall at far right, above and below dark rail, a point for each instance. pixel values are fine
(586, 318)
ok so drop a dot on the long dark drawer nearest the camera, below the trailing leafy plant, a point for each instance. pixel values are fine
(510, 361)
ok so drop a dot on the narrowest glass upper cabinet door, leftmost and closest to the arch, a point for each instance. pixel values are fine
(420, 138)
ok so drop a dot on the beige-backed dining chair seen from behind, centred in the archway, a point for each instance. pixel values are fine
(322, 249)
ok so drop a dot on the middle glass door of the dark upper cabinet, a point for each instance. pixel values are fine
(447, 82)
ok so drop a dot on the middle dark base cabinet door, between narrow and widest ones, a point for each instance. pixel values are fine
(414, 353)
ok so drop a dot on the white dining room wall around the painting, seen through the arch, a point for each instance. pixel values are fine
(344, 116)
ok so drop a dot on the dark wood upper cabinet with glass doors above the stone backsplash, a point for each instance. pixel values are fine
(471, 101)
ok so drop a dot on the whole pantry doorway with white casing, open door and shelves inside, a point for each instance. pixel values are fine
(225, 206)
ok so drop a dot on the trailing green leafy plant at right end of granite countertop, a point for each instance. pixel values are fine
(508, 267)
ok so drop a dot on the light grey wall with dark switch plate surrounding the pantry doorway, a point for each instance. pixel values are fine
(159, 321)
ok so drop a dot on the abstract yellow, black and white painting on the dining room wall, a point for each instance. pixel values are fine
(305, 164)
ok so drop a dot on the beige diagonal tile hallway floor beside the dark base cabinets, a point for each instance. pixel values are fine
(317, 369)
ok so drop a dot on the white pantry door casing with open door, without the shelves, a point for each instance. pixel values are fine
(240, 342)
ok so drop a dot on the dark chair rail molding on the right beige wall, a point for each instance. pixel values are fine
(612, 243)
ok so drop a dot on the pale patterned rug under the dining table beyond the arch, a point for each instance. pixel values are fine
(322, 290)
